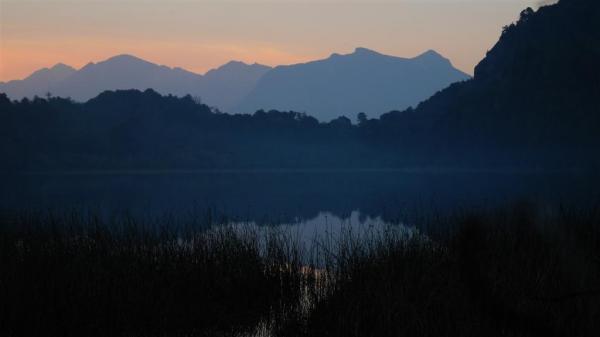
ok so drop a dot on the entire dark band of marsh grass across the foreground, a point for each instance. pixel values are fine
(515, 272)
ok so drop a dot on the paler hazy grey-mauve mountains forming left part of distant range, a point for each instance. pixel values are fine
(222, 87)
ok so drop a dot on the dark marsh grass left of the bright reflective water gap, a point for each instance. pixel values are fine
(75, 276)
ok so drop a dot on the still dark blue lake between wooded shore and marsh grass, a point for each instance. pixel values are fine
(290, 196)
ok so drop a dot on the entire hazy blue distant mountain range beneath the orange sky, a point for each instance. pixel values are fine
(363, 81)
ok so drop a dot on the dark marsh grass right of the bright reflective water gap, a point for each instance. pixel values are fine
(520, 271)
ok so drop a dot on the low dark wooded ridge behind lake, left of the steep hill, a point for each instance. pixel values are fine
(133, 129)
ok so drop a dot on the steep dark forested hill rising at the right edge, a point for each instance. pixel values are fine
(534, 95)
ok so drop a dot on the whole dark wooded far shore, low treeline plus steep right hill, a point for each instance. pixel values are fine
(534, 101)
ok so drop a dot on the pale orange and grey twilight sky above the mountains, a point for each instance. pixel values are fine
(199, 35)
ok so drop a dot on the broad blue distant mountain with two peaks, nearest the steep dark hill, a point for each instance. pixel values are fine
(364, 81)
